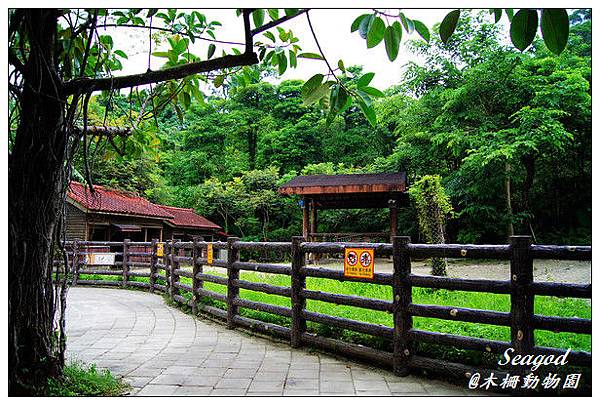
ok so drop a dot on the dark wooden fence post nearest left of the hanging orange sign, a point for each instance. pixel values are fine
(298, 285)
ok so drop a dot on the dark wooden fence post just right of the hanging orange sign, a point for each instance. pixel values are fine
(402, 290)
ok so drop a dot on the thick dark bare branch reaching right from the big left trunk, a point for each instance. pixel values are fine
(84, 85)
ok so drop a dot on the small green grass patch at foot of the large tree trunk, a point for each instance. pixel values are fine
(79, 380)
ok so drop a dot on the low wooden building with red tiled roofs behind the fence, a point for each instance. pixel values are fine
(112, 215)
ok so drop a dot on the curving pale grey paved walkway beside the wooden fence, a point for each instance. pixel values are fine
(159, 350)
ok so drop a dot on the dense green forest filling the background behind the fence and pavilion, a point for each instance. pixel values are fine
(509, 133)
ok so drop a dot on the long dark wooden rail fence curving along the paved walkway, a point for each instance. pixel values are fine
(164, 275)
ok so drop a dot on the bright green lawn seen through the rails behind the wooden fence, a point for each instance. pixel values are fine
(566, 307)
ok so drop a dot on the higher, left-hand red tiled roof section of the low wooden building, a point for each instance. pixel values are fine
(113, 201)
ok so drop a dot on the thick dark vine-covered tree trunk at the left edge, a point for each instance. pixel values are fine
(35, 181)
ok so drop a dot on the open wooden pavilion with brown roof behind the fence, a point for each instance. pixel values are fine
(343, 191)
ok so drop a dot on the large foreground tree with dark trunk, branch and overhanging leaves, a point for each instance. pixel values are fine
(58, 60)
